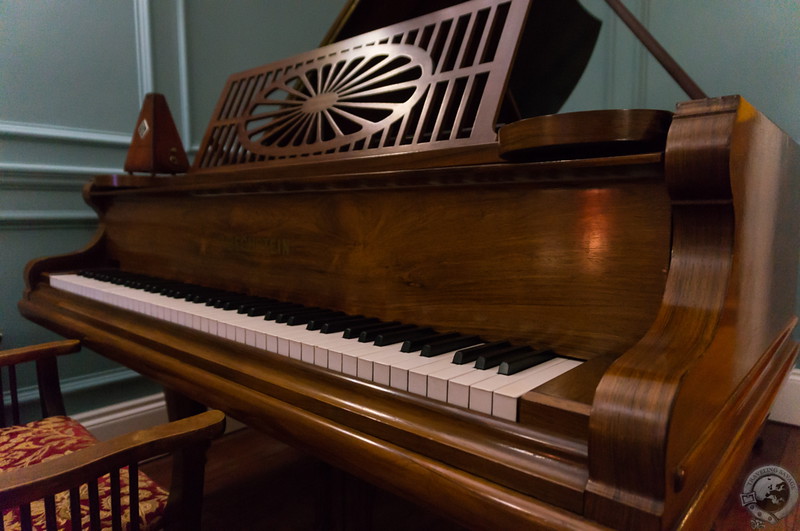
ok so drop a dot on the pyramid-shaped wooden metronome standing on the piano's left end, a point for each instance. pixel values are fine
(156, 146)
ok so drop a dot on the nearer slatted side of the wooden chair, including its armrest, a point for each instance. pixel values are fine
(77, 483)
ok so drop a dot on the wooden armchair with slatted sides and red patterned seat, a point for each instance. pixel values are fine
(53, 473)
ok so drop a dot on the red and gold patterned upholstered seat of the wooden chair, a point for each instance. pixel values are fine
(52, 437)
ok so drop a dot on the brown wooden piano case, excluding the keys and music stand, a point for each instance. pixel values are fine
(637, 263)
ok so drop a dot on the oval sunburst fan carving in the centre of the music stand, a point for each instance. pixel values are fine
(336, 102)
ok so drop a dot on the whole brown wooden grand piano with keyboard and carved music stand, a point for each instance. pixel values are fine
(649, 255)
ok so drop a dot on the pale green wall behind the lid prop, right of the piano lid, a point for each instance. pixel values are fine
(727, 46)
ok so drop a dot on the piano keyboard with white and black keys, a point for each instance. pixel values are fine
(460, 370)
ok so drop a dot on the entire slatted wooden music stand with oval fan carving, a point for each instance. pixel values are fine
(432, 82)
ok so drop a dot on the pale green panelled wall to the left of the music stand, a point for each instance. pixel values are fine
(72, 78)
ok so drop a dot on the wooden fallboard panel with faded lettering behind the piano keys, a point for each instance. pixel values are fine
(411, 256)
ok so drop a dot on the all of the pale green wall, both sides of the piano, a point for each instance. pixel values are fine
(72, 75)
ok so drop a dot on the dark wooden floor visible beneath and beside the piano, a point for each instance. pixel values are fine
(254, 481)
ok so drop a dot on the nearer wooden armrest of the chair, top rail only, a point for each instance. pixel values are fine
(31, 483)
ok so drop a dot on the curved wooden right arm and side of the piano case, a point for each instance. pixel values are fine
(701, 336)
